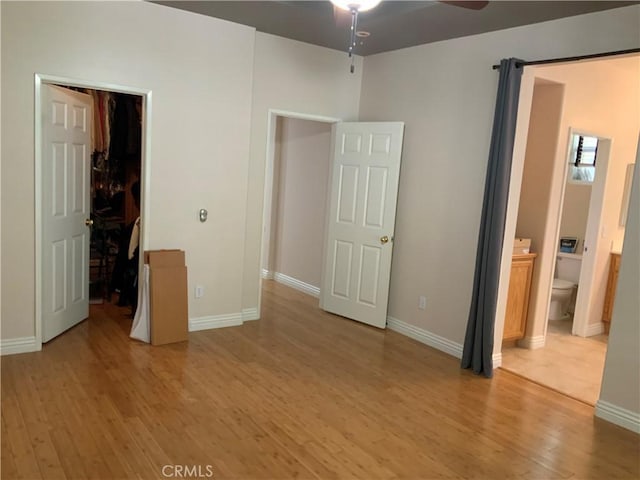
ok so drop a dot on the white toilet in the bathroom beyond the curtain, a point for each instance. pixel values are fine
(564, 285)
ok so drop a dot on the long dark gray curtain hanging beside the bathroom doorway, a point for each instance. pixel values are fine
(478, 342)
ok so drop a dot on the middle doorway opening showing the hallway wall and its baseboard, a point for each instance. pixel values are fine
(296, 191)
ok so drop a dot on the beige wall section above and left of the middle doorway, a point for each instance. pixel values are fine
(293, 77)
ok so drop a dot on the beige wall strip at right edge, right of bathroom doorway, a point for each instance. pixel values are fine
(621, 382)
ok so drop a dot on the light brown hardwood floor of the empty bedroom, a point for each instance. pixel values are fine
(298, 394)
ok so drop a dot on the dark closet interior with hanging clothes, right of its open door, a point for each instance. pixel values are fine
(115, 197)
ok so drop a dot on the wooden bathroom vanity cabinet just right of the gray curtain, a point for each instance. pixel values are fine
(515, 320)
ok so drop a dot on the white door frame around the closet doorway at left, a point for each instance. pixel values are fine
(145, 171)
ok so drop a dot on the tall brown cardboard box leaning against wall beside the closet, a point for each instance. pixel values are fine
(169, 315)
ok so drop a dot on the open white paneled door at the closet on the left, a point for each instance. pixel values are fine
(66, 150)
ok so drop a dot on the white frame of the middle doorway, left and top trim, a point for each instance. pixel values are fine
(267, 205)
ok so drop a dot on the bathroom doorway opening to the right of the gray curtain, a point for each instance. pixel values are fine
(592, 100)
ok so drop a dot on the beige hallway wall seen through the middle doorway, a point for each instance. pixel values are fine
(303, 175)
